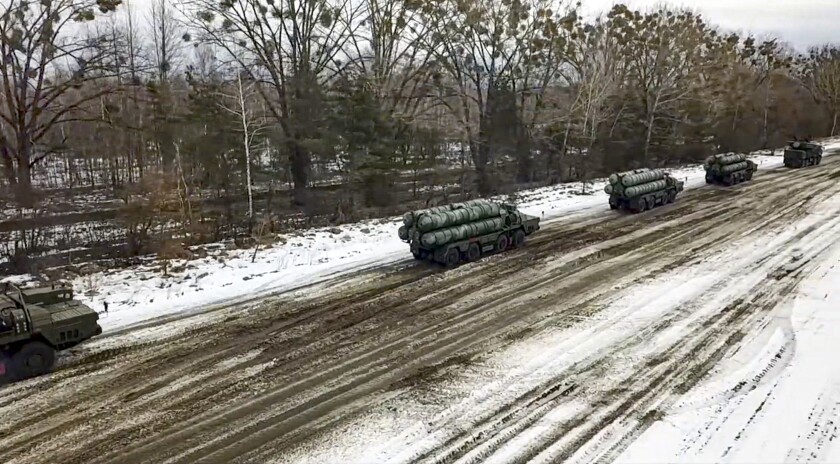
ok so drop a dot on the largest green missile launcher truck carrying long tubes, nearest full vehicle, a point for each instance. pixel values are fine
(465, 231)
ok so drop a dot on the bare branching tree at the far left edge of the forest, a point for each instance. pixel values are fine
(44, 72)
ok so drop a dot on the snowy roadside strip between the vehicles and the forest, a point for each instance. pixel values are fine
(142, 293)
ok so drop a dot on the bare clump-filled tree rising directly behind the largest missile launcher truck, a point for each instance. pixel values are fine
(485, 47)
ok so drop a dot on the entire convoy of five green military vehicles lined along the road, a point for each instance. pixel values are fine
(35, 323)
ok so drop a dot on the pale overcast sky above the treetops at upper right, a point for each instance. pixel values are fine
(802, 23)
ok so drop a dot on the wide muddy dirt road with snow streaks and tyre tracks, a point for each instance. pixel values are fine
(284, 378)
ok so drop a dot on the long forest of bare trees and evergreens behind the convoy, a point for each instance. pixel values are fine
(131, 128)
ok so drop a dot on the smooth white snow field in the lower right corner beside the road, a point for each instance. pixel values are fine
(777, 400)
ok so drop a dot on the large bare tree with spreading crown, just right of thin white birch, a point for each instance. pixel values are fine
(293, 47)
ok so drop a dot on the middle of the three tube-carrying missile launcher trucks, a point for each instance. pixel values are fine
(642, 189)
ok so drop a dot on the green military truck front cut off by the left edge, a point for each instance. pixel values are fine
(35, 323)
